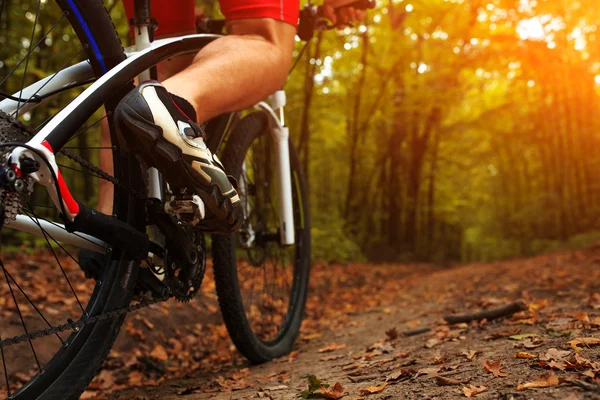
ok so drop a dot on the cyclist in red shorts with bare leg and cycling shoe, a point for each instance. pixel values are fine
(161, 120)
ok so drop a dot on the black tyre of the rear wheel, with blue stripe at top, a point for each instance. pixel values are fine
(72, 368)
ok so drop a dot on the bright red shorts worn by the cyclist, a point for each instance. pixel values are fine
(182, 18)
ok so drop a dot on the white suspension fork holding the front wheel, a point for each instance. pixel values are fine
(280, 135)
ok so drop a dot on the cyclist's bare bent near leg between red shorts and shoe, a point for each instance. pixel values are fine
(238, 70)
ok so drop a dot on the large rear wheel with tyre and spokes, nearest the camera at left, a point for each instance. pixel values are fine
(63, 368)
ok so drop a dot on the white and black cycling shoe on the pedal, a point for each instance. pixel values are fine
(156, 127)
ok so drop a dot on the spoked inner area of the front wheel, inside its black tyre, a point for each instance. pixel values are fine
(270, 275)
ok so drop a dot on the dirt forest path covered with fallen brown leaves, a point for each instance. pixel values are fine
(354, 338)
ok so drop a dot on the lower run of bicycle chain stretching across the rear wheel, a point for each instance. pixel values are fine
(75, 326)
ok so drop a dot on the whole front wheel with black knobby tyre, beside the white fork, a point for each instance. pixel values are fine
(262, 285)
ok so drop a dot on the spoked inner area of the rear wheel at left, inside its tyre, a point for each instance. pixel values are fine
(33, 295)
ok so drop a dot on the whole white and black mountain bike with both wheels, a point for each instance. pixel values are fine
(58, 326)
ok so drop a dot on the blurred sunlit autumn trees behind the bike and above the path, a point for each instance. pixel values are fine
(440, 130)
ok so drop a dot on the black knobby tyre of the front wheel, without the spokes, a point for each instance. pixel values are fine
(226, 274)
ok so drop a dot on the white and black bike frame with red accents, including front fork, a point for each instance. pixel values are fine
(52, 137)
